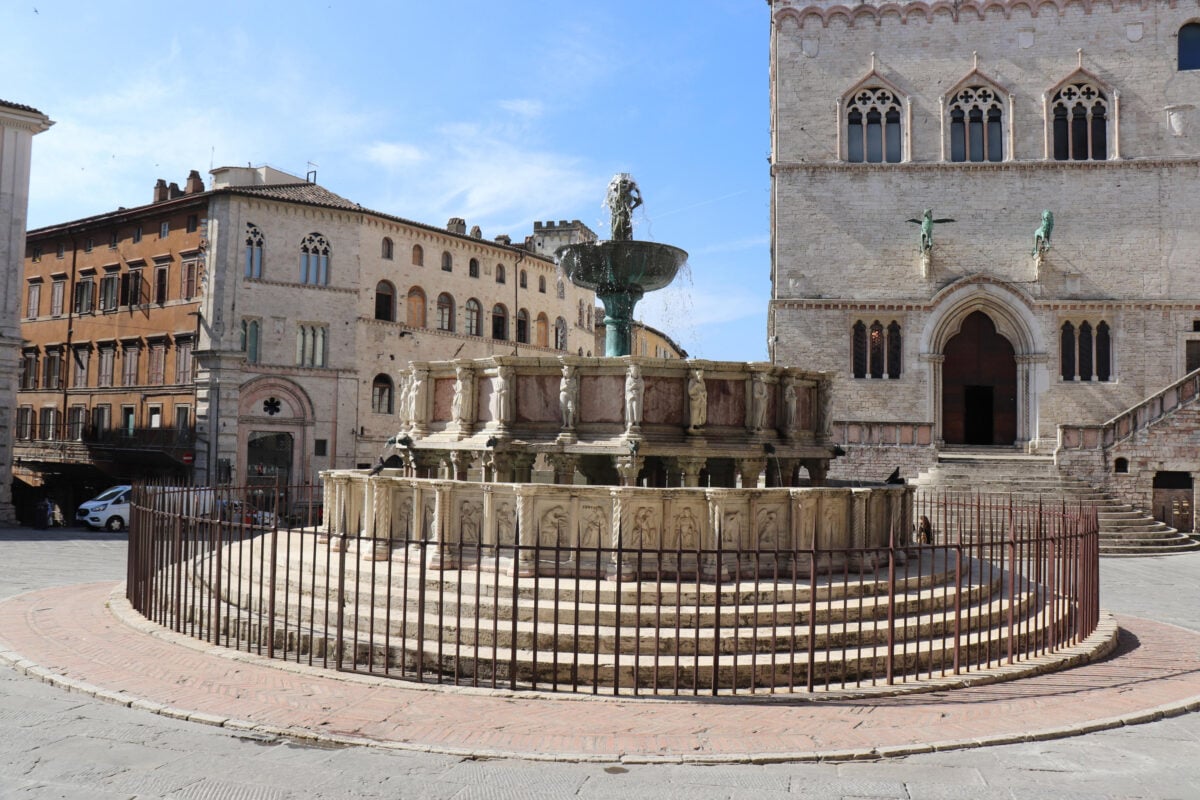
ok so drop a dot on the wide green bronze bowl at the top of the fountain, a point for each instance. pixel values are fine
(608, 267)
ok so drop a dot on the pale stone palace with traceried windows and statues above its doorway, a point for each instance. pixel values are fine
(983, 215)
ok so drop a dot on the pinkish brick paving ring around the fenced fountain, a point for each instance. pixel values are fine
(86, 637)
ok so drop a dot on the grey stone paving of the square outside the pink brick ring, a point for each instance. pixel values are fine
(58, 744)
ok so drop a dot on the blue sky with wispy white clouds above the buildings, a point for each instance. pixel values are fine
(501, 113)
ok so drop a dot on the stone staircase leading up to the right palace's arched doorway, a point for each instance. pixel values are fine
(1125, 531)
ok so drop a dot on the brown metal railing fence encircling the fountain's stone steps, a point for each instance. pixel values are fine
(995, 584)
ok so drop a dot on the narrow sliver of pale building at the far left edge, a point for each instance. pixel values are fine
(19, 125)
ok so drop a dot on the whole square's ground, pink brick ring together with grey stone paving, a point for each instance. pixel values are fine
(58, 744)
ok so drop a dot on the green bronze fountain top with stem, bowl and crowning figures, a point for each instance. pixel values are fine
(622, 269)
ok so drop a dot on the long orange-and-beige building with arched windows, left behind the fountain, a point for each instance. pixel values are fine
(266, 340)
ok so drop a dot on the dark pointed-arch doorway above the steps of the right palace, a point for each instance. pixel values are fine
(980, 386)
